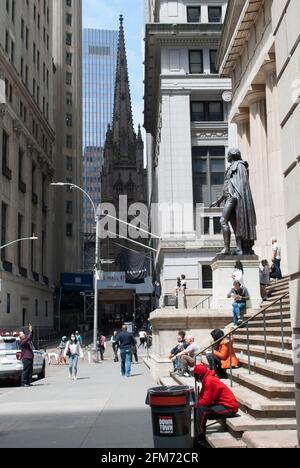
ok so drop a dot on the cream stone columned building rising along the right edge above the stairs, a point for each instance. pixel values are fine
(260, 52)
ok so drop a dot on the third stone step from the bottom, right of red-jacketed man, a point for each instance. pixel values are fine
(262, 407)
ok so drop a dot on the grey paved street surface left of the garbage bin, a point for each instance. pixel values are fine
(100, 410)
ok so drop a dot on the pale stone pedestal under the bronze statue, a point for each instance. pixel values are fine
(223, 266)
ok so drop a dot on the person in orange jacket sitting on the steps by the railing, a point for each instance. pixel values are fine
(220, 360)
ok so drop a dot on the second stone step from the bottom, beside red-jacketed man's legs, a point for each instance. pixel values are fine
(246, 423)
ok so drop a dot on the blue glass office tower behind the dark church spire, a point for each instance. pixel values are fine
(99, 71)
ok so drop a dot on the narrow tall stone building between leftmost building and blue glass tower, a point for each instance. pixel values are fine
(67, 57)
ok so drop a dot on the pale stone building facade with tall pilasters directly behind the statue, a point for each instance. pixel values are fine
(186, 120)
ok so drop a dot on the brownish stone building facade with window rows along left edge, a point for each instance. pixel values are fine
(27, 162)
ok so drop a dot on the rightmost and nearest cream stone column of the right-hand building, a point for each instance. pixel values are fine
(275, 188)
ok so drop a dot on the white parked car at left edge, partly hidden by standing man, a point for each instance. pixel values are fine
(10, 359)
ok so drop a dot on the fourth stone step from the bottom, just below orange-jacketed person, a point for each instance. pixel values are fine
(263, 385)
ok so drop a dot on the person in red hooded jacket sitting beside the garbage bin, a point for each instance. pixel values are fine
(216, 400)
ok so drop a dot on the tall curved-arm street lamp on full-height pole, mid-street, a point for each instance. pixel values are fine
(97, 263)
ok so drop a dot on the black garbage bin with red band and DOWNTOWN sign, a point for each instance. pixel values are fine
(171, 416)
